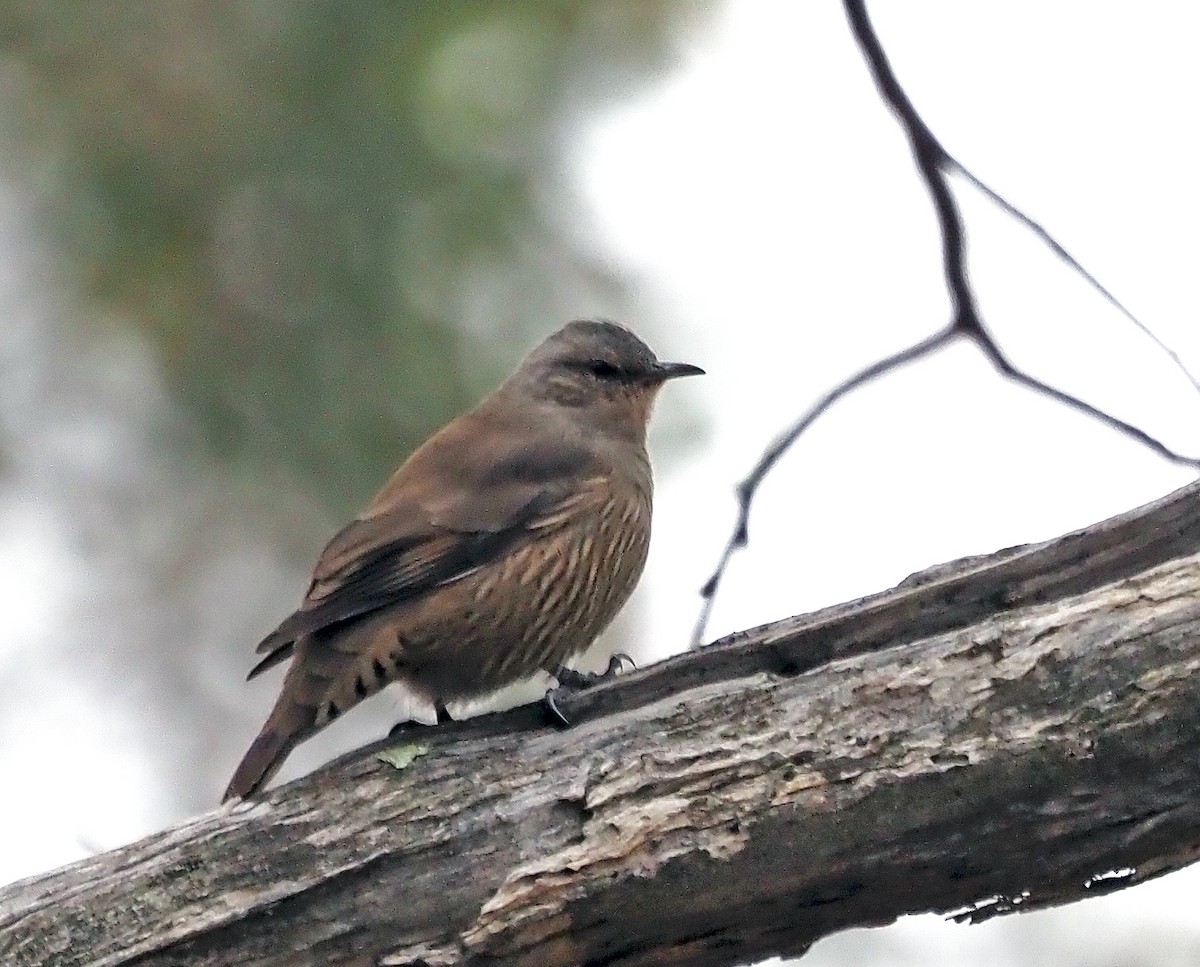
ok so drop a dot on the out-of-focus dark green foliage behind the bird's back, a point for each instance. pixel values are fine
(287, 200)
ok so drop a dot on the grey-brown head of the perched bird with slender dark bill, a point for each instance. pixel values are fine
(603, 373)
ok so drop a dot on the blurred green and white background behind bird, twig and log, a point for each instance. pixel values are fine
(251, 254)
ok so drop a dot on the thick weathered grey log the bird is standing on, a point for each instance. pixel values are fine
(1001, 734)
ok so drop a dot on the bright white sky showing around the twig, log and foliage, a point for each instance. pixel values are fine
(769, 202)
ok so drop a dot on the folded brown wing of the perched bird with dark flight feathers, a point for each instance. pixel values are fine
(460, 502)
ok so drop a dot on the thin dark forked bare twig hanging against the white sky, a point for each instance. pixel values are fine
(934, 164)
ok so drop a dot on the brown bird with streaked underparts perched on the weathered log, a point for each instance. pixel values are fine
(502, 546)
